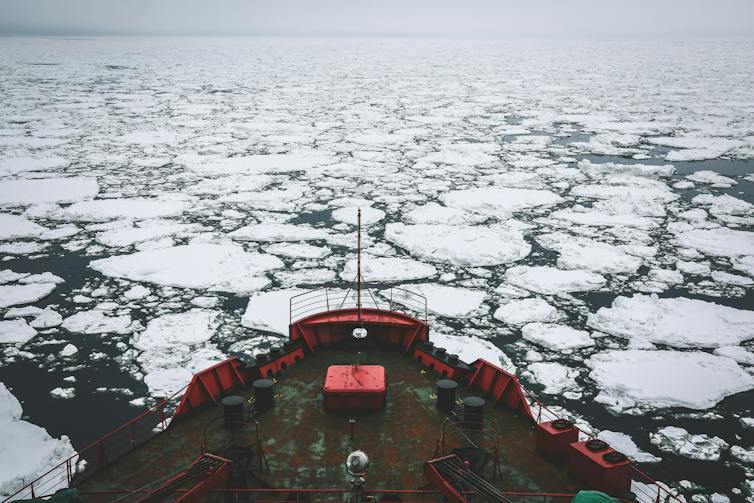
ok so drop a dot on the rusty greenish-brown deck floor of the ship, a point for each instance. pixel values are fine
(306, 445)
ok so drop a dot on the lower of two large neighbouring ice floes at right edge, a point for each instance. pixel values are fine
(651, 378)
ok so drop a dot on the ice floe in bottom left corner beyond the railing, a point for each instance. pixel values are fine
(28, 450)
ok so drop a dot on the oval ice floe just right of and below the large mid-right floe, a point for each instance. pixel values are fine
(551, 281)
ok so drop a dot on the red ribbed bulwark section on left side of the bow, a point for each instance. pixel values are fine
(206, 386)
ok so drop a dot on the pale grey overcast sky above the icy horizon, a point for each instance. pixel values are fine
(507, 18)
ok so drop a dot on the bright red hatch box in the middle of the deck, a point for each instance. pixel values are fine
(355, 387)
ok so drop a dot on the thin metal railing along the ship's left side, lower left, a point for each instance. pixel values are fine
(102, 451)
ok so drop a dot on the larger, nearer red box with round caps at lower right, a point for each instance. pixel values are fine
(600, 467)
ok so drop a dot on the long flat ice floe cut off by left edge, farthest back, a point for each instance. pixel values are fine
(47, 190)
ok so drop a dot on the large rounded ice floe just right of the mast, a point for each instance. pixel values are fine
(459, 245)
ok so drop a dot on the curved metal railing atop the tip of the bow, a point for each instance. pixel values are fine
(332, 299)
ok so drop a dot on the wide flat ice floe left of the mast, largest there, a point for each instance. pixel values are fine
(219, 267)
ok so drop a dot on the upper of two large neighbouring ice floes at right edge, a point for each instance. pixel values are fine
(678, 322)
